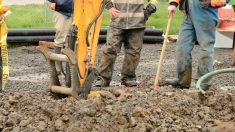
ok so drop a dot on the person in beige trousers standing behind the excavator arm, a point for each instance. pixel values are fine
(62, 22)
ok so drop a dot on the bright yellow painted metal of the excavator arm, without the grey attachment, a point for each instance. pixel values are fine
(84, 12)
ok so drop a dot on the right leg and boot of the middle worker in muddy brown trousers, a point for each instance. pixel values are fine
(133, 45)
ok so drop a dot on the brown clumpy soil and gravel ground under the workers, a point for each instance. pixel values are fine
(27, 105)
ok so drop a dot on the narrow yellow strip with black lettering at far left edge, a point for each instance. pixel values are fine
(3, 45)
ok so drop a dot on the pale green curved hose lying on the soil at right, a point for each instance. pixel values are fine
(210, 74)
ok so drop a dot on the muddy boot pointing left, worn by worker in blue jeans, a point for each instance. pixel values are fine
(175, 83)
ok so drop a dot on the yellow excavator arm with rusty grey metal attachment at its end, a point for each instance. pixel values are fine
(80, 52)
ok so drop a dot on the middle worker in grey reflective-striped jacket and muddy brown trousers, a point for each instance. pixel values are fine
(127, 26)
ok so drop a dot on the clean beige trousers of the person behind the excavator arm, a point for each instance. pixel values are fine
(62, 27)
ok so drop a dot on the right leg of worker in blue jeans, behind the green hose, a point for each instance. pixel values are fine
(205, 30)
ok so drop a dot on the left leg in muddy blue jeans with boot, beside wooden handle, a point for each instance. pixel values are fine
(185, 44)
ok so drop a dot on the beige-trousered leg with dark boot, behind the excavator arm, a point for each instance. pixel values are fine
(62, 26)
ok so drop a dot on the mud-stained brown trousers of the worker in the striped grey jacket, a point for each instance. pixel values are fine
(132, 40)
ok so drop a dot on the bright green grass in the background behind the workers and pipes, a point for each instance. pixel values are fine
(31, 16)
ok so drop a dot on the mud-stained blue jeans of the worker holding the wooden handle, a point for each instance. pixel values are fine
(190, 31)
